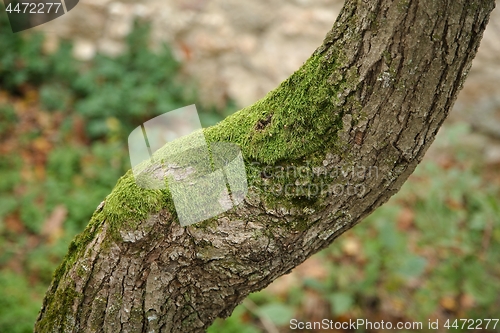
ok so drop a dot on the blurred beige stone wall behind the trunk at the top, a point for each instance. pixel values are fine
(242, 49)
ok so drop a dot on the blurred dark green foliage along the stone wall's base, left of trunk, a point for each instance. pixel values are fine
(112, 94)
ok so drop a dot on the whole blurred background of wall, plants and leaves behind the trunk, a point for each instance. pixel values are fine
(72, 89)
